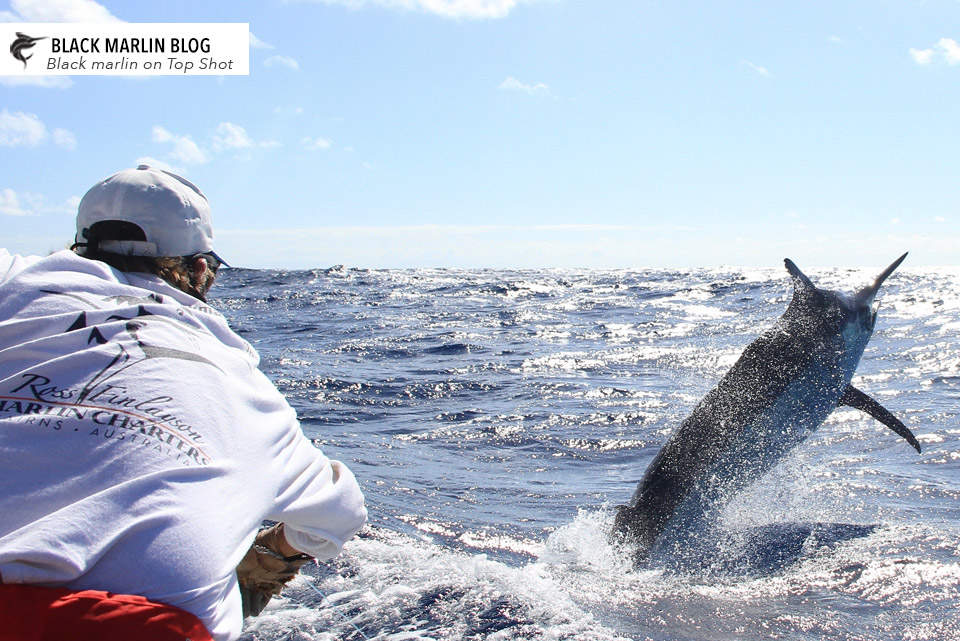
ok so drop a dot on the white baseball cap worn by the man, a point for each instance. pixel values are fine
(172, 212)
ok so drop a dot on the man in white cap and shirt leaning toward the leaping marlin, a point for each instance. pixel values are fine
(140, 446)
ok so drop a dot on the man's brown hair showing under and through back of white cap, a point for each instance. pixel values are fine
(176, 270)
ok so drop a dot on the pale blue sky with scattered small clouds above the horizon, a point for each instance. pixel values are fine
(521, 133)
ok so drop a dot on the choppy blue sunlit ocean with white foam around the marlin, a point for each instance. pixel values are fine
(496, 418)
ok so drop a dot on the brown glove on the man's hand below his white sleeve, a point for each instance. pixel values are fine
(264, 570)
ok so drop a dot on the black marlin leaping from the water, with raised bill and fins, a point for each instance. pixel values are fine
(778, 392)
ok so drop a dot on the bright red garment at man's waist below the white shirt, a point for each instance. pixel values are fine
(32, 613)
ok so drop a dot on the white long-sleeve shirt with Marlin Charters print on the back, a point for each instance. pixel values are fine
(140, 445)
